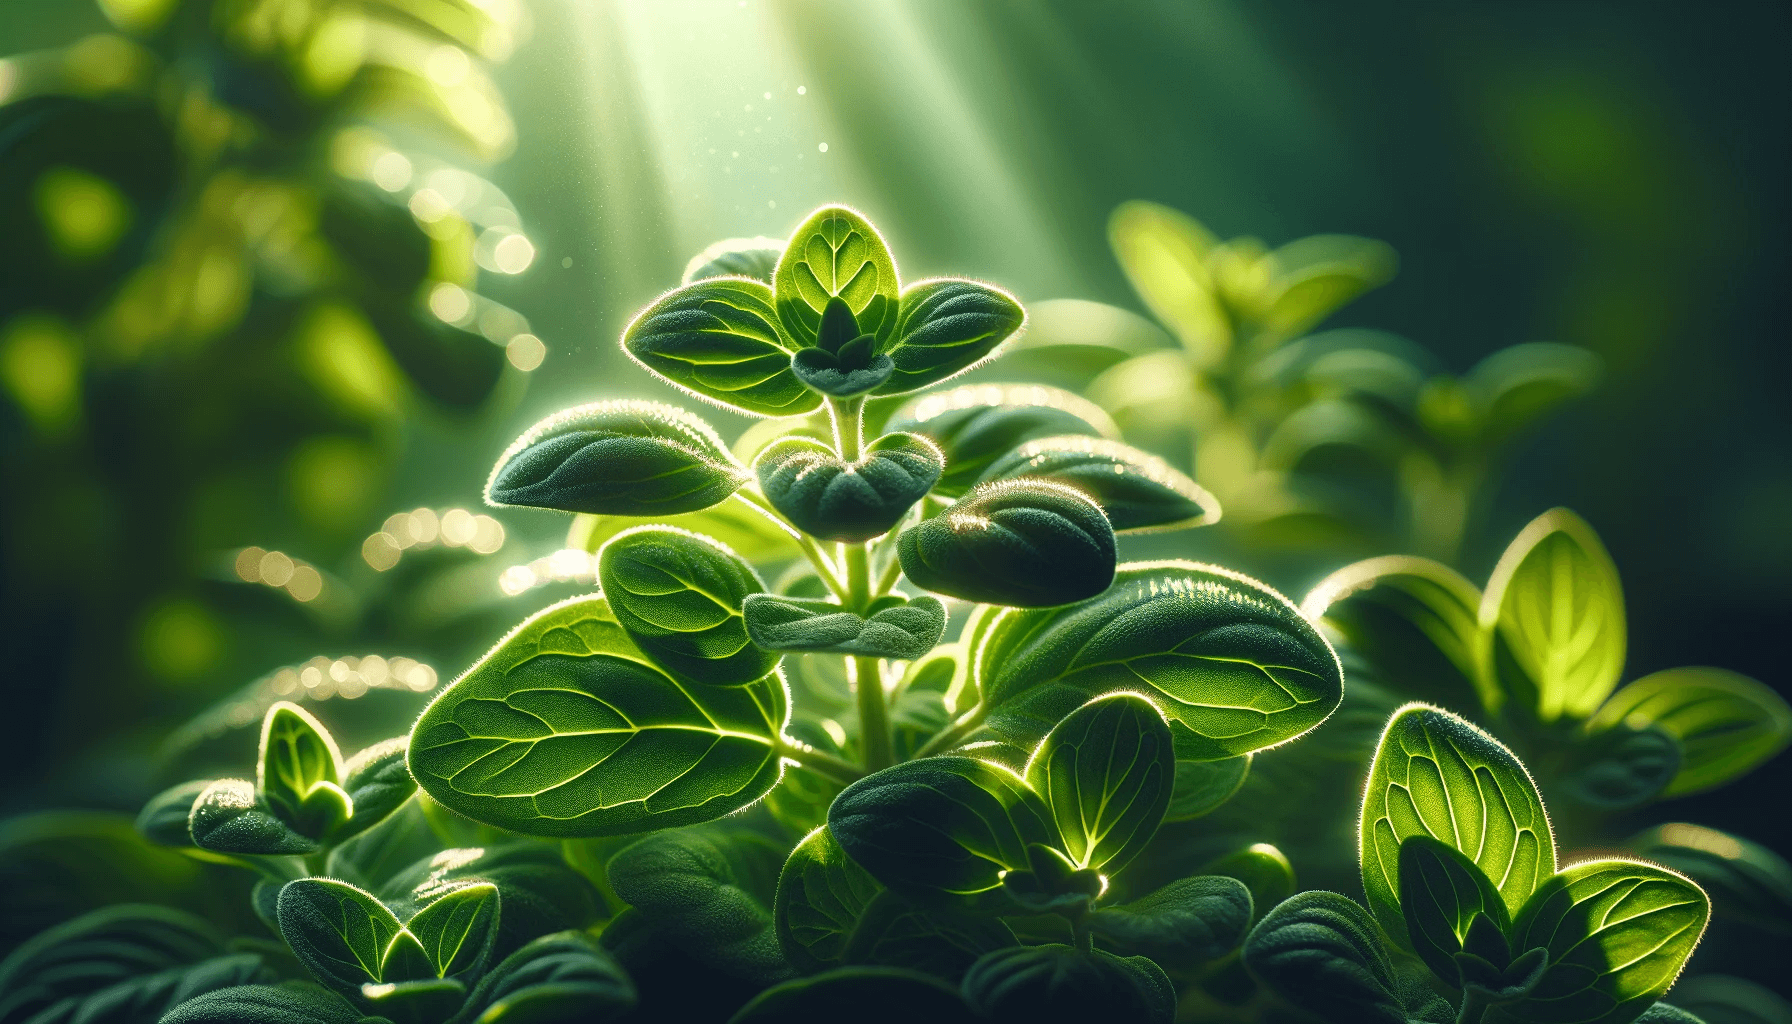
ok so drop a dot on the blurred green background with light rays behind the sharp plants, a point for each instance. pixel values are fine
(264, 309)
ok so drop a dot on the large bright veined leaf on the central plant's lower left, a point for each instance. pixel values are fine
(565, 729)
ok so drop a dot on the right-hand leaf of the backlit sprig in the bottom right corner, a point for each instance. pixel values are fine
(1617, 937)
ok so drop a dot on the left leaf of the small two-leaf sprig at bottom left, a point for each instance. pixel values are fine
(338, 932)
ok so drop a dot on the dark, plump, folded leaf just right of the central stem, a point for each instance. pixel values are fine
(1028, 544)
